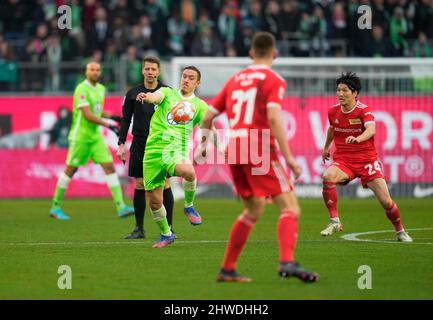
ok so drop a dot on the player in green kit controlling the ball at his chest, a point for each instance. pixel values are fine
(167, 148)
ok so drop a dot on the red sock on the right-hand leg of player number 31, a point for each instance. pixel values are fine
(287, 235)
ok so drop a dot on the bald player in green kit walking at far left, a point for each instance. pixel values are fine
(86, 141)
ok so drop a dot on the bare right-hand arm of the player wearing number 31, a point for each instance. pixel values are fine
(277, 128)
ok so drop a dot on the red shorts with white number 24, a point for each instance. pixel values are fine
(367, 171)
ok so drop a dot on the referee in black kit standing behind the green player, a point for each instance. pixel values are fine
(140, 130)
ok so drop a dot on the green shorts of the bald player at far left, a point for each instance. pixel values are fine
(81, 151)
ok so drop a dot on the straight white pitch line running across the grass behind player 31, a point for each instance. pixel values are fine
(139, 242)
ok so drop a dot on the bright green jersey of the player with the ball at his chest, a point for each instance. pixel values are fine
(166, 134)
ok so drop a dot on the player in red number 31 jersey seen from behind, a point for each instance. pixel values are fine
(252, 99)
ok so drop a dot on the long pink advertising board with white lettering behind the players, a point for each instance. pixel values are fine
(404, 139)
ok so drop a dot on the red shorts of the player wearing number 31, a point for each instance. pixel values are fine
(271, 183)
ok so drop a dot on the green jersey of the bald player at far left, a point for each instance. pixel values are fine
(86, 94)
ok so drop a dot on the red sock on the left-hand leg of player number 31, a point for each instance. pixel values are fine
(238, 237)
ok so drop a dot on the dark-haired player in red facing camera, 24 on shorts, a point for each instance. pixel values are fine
(352, 128)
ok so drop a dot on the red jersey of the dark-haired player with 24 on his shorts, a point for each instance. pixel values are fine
(352, 123)
